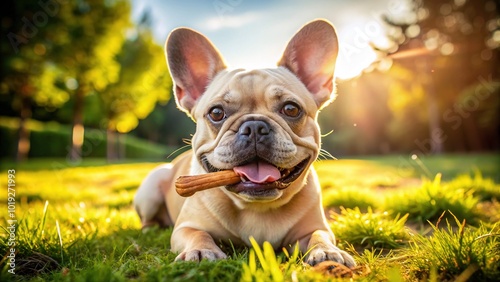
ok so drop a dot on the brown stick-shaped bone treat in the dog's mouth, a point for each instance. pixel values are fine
(188, 185)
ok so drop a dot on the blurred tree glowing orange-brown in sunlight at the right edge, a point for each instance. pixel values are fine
(451, 46)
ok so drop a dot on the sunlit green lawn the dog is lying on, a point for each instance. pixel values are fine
(76, 223)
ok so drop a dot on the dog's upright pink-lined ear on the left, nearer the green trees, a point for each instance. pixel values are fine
(193, 61)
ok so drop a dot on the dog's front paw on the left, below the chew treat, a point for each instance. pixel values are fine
(196, 245)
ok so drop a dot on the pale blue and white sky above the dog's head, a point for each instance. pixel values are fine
(253, 34)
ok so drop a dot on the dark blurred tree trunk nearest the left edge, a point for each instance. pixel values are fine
(23, 135)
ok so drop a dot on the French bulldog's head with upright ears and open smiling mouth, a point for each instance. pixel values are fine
(260, 123)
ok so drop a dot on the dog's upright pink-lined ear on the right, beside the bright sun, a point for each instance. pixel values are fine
(311, 55)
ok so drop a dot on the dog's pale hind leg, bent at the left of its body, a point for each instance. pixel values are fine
(149, 201)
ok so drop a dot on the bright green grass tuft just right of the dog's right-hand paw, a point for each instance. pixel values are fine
(370, 229)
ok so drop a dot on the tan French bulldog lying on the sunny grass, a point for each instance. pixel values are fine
(261, 123)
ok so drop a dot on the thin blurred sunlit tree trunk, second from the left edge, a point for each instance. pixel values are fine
(78, 128)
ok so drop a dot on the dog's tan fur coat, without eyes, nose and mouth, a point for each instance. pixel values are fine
(292, 215)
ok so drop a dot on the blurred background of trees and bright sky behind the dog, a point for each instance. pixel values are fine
(88, 79)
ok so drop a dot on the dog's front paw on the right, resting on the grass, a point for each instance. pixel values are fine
(322, 248)
